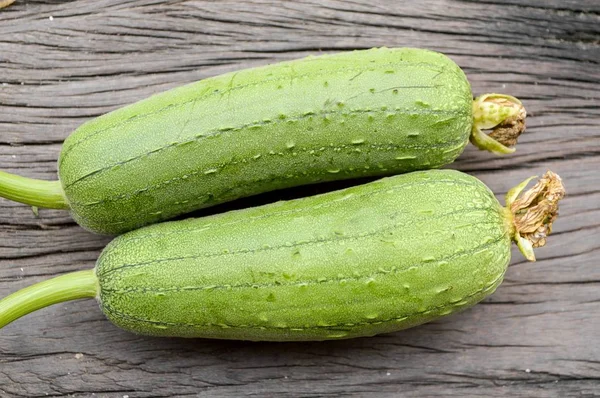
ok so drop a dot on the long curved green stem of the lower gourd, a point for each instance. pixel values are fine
(72, 286)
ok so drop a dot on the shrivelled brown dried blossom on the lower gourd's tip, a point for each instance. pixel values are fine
(534, 211)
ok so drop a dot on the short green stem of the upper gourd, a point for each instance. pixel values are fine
(32, 192)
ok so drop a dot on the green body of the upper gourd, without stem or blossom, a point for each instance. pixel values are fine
(374, 112)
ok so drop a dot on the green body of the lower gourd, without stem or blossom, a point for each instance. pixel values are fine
(370, 259)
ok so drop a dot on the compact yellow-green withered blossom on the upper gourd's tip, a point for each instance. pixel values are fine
(504, 115)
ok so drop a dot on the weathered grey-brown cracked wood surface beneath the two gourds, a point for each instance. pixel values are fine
(64, 62)
